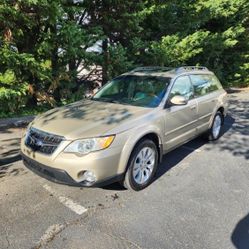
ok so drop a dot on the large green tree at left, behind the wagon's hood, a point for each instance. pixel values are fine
(43, 44)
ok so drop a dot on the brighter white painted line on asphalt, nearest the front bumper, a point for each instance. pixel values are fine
(75, 207)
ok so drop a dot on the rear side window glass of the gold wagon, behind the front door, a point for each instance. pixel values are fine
(204, 84)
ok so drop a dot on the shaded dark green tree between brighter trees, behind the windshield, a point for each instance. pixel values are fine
(120, 24)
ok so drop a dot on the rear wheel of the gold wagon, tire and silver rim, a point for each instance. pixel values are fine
(214, 132)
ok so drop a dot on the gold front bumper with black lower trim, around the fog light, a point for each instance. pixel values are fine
(67, 167)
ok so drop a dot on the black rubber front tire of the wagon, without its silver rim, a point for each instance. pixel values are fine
(129, 174)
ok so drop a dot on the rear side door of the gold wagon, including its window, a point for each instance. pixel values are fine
(206, 94)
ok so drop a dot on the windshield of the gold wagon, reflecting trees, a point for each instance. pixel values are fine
(146, 91)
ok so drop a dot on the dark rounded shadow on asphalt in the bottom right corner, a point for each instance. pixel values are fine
(240, 235)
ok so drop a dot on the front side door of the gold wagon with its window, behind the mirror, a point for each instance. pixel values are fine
(180, 120)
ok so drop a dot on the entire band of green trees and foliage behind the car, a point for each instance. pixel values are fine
(52, 52)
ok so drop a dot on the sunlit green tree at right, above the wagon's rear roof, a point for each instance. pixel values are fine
(210, 33)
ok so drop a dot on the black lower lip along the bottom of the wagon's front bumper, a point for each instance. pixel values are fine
(61, 176)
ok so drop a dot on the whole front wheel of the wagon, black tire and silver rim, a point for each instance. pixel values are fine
(142, 165)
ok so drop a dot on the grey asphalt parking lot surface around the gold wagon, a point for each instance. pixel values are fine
(199, 199)
